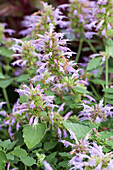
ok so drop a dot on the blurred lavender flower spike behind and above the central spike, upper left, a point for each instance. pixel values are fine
(38, 23)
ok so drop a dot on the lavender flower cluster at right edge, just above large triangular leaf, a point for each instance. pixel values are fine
(96, 113)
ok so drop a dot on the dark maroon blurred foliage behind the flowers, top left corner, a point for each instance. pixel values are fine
(13, 11)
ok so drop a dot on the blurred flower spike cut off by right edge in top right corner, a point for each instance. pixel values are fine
(104, 18)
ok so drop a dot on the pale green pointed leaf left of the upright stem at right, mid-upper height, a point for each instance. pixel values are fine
(94, 63)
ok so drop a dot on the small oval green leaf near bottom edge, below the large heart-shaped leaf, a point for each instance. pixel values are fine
(27, 160)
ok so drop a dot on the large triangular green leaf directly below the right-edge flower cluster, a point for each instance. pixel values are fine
(79, 129)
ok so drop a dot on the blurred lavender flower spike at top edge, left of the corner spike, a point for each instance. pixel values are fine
(81, 14)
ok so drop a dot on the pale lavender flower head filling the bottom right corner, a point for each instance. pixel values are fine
(97, 159)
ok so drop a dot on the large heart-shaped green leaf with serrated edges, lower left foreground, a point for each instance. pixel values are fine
(33, 135)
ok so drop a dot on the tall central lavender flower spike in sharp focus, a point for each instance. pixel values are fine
(55, 54)
